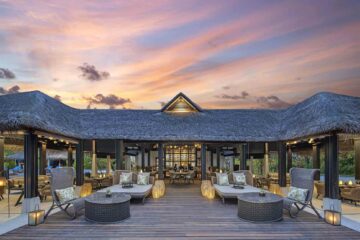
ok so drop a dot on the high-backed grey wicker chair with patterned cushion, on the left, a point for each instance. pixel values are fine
(62, 178)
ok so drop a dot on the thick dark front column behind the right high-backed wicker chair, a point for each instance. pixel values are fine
(331, 167)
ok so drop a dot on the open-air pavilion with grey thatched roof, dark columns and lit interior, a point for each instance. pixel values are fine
(181, 134)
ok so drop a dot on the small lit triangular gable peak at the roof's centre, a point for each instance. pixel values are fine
(181, 103)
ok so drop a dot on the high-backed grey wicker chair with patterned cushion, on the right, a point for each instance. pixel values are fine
(301, 178)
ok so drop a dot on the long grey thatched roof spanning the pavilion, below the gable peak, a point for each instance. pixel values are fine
(321, 113)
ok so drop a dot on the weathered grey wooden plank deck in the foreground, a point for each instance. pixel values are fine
(183, 213)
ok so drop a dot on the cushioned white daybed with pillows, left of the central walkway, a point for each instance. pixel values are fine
(136, 192)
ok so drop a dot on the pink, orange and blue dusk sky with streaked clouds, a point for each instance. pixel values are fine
(138, 54)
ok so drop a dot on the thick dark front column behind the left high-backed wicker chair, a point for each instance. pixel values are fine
(31, 165)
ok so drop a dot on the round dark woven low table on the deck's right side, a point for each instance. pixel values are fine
(254, 208)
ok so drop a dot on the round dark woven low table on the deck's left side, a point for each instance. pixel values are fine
(99, 208)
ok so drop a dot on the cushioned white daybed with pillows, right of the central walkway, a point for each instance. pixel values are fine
(226, 192)
